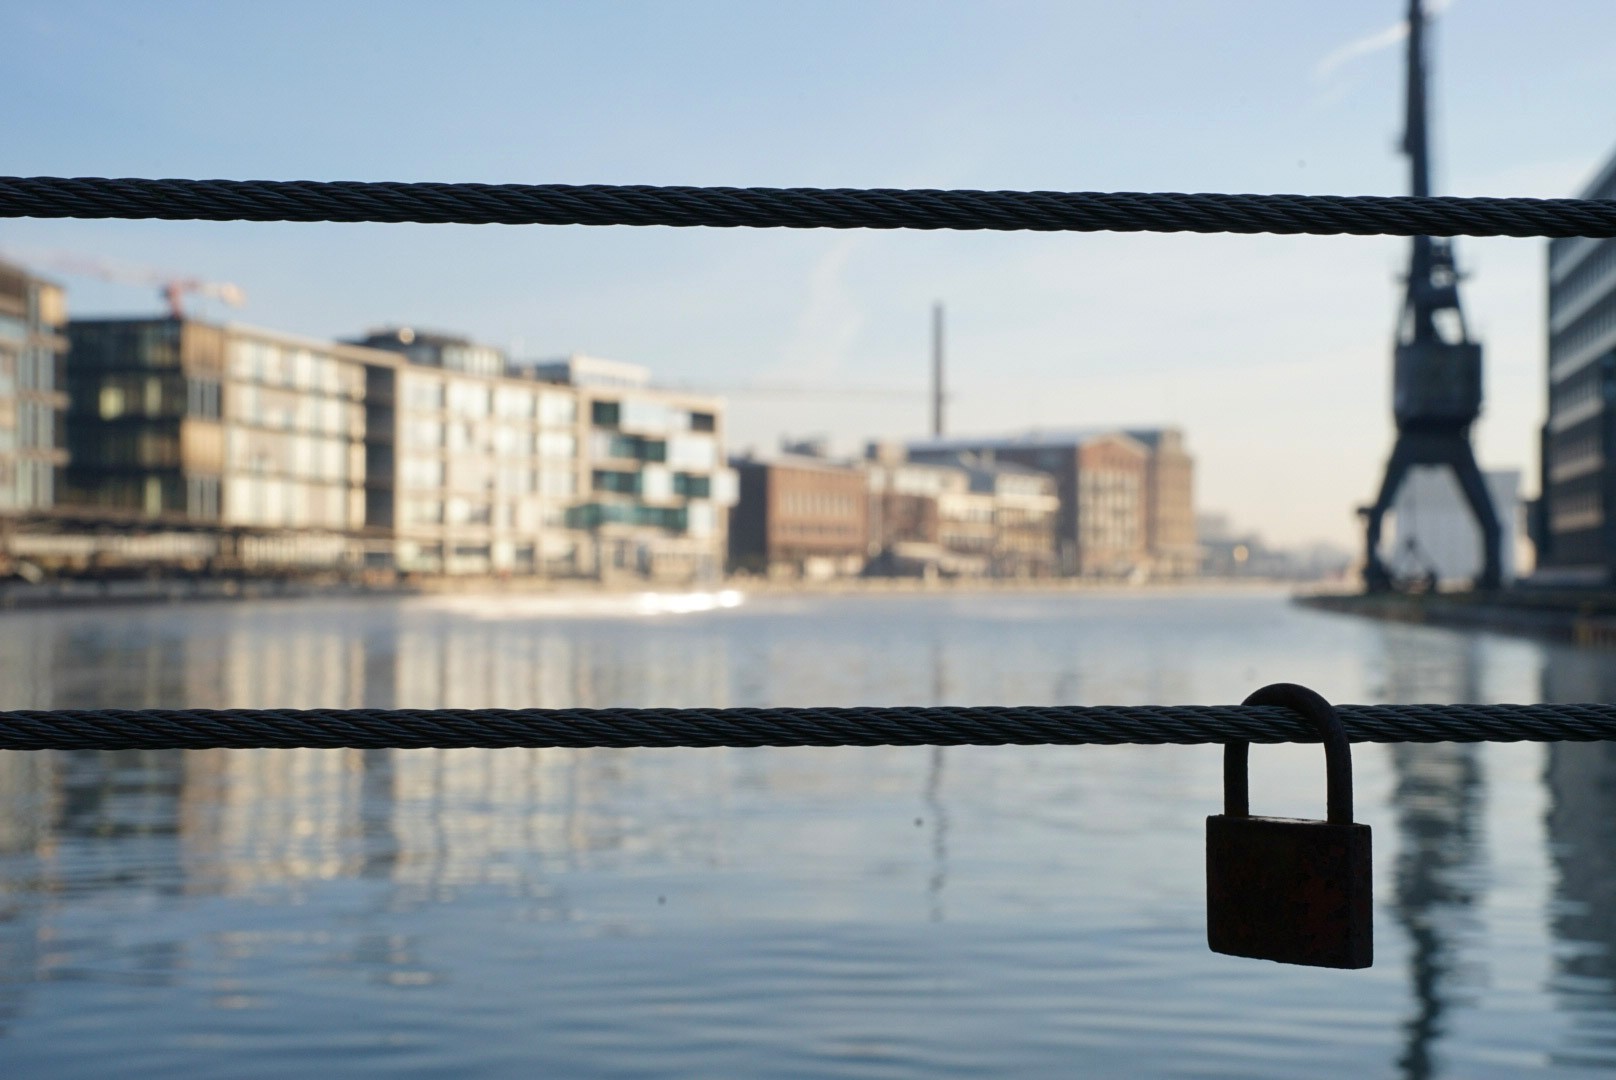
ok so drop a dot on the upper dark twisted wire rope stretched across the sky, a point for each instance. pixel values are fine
(799, 208)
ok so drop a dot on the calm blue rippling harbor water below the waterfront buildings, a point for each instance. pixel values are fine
(778, 913)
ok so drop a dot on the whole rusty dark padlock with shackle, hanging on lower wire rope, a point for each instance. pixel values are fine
(1290, 890)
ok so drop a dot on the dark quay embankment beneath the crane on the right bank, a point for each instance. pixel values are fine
(1584, 618)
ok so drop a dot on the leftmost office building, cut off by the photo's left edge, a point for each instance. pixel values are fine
(33, 350)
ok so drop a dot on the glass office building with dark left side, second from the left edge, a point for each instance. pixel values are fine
(190, 423)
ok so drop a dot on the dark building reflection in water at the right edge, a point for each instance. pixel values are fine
(1581, 819)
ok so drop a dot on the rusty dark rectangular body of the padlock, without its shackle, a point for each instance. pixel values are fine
(1290, 890)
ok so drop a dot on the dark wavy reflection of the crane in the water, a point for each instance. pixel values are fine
(1439, 799)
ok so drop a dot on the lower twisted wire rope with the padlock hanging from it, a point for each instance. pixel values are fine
(494, 728)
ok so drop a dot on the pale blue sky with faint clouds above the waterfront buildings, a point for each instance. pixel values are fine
(1273, 353)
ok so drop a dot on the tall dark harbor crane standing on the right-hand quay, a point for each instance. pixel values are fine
(1437, 369)
